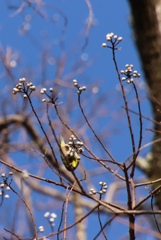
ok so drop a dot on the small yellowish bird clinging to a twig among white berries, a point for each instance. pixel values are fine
(69, 156)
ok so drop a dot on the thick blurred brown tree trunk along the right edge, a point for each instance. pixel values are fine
(146, 19)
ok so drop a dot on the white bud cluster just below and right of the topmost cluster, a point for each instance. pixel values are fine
(129, 73)
